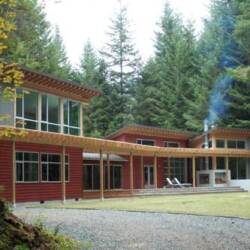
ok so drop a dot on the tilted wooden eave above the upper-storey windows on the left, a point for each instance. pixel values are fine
(49, 84)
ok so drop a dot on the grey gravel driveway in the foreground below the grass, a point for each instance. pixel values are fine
(132, 230)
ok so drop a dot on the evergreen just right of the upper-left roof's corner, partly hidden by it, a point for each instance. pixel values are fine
(93, 73)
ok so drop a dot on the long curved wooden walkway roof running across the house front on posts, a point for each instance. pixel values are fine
(94, 145)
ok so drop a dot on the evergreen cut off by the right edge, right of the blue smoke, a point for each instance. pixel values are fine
(239, 93)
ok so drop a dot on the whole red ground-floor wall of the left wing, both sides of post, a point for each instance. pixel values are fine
(40, 191)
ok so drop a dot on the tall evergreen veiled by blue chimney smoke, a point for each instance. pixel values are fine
(219, 51)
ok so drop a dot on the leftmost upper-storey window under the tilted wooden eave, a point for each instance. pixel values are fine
(27, 110)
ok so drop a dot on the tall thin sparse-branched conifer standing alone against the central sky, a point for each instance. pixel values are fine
(123, 67)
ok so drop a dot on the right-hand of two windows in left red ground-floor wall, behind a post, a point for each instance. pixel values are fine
(51, 167)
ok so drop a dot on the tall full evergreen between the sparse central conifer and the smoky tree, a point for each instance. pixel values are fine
(176, 57)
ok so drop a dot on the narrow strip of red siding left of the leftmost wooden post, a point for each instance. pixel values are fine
(6, 169)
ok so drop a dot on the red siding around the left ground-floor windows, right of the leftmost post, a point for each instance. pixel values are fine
(52, 191)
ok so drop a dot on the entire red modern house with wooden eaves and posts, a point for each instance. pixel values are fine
(55, 161)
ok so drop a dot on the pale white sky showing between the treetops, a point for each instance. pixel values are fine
(79, 20)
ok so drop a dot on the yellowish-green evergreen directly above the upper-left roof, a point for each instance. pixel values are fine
(32, 44)
